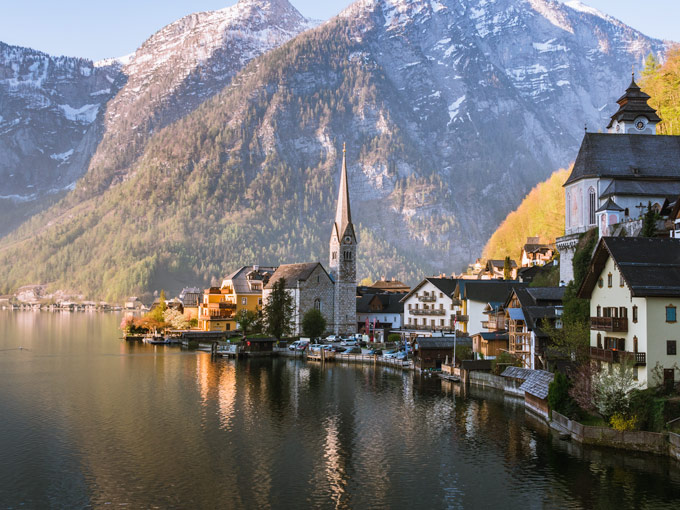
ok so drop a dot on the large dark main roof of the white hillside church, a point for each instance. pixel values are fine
(636, 157)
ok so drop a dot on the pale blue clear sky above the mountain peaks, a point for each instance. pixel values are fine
(97, 30)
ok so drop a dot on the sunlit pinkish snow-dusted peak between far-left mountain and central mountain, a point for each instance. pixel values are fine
(178, 68)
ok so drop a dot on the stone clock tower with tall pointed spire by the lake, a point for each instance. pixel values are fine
(342, 263)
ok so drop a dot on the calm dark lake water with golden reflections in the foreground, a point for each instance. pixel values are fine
(88, 420)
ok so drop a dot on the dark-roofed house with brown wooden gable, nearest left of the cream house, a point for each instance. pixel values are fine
(526, 310)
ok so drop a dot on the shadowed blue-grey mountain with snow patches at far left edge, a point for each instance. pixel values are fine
(48, 125)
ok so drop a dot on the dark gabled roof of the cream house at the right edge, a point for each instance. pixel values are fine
(650, 266)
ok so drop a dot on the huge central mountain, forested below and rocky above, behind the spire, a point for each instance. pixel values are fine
(451, 110)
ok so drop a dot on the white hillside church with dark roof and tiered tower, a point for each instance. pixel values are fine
(616, 174)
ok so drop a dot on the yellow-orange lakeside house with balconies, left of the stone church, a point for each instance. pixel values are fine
(241, 290)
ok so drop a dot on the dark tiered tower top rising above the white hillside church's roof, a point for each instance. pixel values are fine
(634, 116)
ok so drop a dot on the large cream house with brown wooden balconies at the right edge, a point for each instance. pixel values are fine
(633, 284)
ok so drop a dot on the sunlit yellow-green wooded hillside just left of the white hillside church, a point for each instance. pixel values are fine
(541, 213)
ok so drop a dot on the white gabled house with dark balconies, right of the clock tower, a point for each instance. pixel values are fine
(429, 306)
